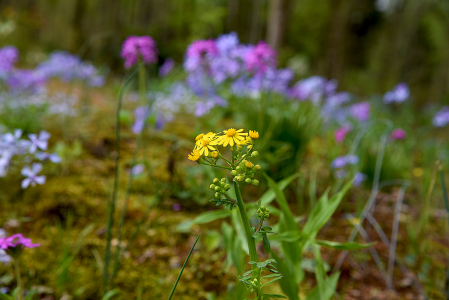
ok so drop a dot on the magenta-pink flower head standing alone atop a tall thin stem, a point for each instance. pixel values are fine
(134, 46)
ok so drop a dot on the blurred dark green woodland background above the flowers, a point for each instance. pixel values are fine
(368, 45)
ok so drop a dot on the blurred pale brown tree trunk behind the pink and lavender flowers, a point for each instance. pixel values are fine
(278, 15)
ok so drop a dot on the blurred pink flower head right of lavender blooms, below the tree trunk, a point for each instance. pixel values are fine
(260, 58)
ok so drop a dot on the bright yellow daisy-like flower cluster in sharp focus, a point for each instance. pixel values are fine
(205, 144)
